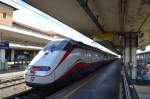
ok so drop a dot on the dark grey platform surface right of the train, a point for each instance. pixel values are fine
(103, 84)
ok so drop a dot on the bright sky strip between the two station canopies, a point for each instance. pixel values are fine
(31, 16)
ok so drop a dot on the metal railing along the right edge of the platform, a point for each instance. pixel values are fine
(127, 90)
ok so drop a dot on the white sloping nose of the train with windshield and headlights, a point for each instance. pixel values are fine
(40, 71)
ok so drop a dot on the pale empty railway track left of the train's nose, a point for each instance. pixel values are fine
(11, 82)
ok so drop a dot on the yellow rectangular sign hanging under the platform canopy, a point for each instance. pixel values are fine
(103, 36)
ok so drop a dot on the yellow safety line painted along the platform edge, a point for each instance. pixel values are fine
(74, 90)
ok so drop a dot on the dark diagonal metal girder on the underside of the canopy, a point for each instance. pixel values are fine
(83, 4)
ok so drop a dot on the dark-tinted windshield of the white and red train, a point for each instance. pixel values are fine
(56, 45)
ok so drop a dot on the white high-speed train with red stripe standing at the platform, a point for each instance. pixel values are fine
(62, 61)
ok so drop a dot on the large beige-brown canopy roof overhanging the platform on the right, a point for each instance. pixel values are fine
(95, 18)
